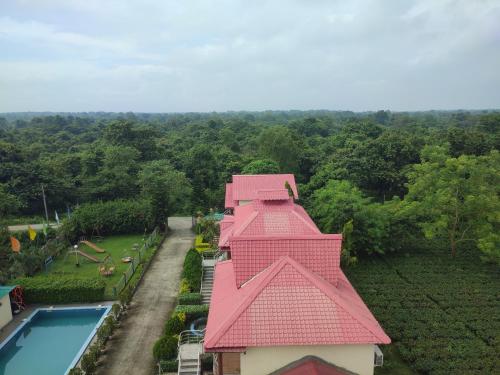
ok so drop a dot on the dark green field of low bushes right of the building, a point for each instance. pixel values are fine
(441, 313)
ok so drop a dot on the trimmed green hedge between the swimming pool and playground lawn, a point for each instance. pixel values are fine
(61, 289)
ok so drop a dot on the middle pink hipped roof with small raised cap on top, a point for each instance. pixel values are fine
(270, 217)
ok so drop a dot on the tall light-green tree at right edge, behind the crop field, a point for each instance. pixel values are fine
(457, 199)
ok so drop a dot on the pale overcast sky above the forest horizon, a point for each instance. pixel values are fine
(175, 56)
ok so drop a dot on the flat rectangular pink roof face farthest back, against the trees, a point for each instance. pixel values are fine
(245, 187)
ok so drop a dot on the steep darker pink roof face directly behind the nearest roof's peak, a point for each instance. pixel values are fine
(320, 253)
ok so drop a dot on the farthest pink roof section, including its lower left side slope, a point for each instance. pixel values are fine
(246, 187)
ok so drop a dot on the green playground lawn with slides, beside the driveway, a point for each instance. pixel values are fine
(117, 247)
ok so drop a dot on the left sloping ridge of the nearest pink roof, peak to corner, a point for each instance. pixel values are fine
(271, 271)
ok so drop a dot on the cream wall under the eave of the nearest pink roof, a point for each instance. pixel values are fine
(263, 360)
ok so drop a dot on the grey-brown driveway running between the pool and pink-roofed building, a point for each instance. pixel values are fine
(130, 350)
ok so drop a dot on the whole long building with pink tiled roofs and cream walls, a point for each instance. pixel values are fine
(280, 302)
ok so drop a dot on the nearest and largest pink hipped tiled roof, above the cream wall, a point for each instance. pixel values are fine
(286, 304)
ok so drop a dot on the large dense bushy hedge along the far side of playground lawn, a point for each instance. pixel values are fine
(113, 217)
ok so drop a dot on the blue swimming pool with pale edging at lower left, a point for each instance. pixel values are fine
(50, 341)
